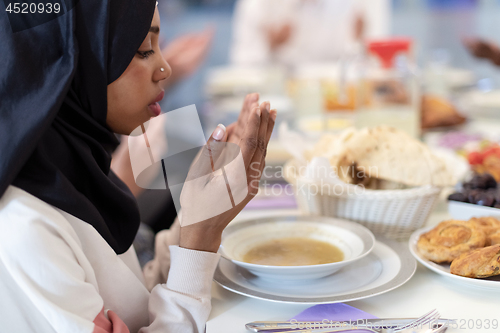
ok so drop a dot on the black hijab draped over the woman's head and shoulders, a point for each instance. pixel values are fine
(54, 141)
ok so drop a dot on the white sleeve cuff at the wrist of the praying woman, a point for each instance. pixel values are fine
(191, 271)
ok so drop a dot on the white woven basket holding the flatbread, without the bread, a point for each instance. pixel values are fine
(394, 213)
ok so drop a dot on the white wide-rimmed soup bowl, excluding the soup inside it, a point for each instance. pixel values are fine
(354, 240)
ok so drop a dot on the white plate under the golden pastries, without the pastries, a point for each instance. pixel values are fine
(492, 283)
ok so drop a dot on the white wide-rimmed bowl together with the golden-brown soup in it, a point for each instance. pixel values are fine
(295, 247)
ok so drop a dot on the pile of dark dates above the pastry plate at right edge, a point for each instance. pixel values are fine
(480, 190)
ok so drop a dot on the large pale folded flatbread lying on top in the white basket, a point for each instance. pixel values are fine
(386, 153)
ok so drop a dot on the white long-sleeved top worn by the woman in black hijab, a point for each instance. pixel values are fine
(57, 274)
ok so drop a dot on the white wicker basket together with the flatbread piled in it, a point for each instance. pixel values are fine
(380, 177)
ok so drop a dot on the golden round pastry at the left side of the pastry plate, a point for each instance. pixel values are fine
(449, 239)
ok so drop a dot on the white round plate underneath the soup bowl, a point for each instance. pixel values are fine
(387, 267)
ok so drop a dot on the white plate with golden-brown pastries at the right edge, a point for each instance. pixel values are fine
(465, 251)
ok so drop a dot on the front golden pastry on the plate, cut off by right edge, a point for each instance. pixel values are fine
(478, 263)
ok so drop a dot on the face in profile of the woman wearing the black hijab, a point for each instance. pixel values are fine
(133, 97)
